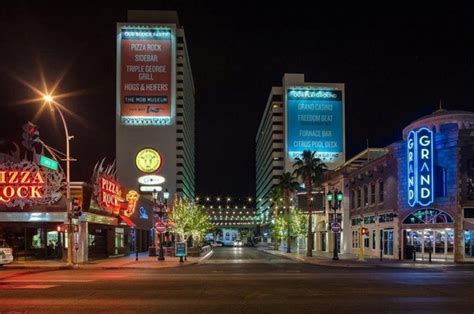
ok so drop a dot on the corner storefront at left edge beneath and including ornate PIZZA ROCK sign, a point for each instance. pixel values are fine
(32, 208)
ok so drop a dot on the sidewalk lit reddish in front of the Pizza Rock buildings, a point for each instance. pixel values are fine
(128, 262)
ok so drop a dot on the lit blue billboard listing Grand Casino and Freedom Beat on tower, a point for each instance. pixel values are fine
(315, 122)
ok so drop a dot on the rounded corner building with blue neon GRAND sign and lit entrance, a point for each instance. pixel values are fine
(435, 180)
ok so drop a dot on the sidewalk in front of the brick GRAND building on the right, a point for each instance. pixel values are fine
(350, 260)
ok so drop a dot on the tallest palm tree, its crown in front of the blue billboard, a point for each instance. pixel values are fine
(311, 171)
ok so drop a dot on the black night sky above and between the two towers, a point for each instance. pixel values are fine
(396, 68)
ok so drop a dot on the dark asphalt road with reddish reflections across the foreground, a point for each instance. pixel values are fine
(239, 280)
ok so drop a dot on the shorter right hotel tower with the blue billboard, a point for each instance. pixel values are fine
(298, 116)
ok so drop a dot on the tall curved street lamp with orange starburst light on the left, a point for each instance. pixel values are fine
(49, 99)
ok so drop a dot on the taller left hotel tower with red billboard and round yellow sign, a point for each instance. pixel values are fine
(155, 102)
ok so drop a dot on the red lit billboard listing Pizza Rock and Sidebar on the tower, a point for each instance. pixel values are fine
(146, 71)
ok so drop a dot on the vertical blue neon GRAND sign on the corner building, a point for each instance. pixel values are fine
(420, 167)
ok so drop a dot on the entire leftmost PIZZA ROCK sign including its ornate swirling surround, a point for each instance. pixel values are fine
(26, 183)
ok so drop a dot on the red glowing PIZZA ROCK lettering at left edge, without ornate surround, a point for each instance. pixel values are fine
(16, 184)
